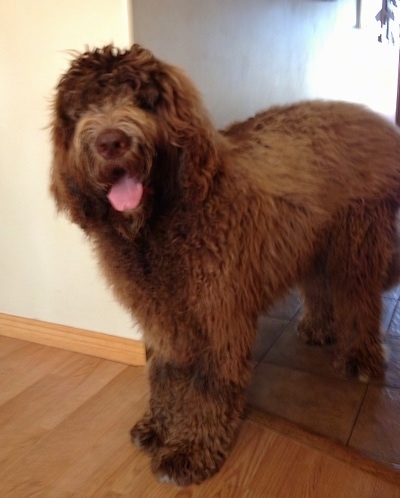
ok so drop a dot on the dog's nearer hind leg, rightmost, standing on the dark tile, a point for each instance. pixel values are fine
(360, 255)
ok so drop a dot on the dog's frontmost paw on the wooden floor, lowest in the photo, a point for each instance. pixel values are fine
(182, 468)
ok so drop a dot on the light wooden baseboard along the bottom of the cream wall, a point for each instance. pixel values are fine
(104, 346)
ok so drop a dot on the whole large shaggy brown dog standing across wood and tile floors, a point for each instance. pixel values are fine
(225, 224)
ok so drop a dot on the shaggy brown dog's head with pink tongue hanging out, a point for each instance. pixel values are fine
(130, 137)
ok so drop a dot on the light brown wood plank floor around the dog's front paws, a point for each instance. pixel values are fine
(64, 432)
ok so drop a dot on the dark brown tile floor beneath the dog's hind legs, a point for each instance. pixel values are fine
(297, 382)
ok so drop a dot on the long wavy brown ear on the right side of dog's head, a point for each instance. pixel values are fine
(166, 91)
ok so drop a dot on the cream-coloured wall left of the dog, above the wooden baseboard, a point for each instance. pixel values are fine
(46, 268)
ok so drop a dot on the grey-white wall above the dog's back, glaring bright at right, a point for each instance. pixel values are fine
(246, 55)
